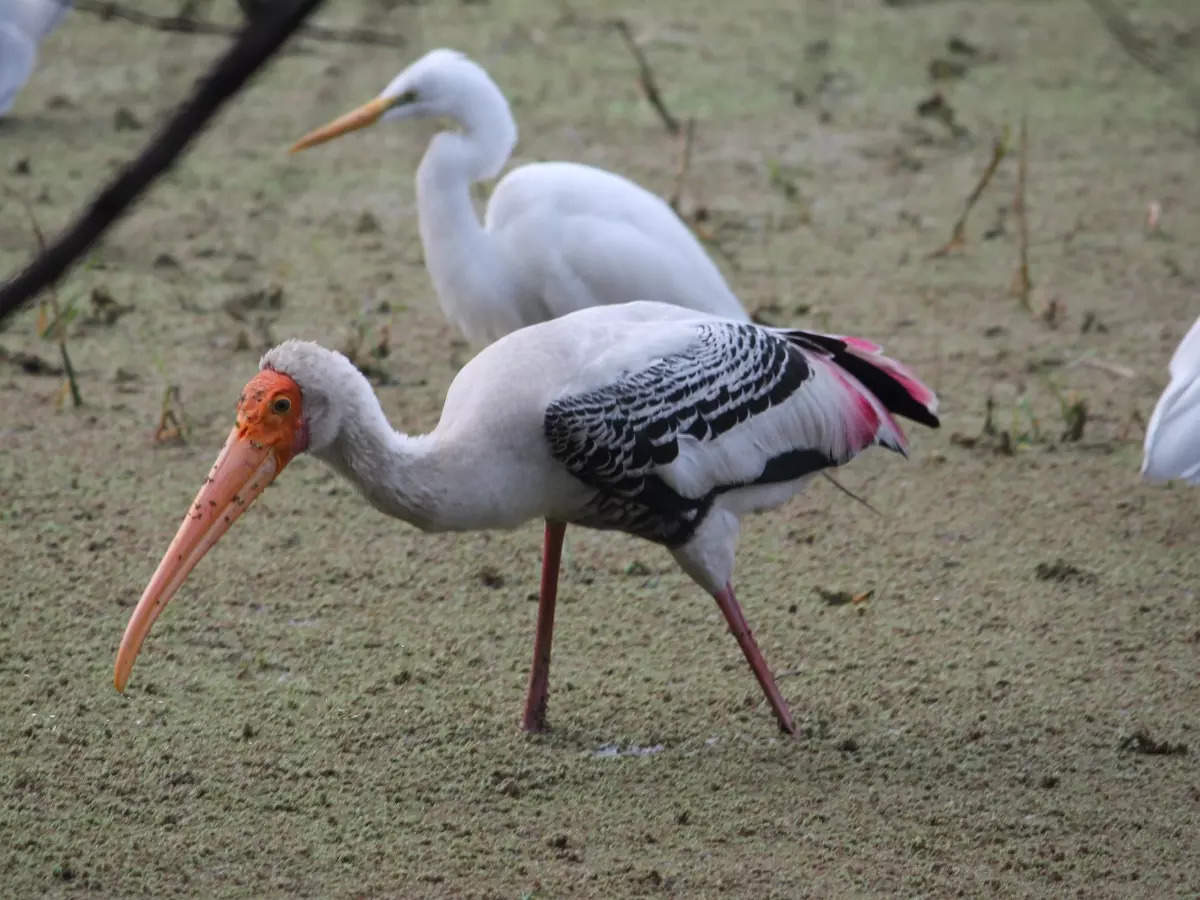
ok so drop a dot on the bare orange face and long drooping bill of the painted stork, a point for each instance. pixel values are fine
(271, 430)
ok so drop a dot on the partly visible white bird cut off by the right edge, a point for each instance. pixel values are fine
(1173, 437)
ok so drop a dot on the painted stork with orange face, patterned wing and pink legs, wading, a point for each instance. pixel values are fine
(641, 418)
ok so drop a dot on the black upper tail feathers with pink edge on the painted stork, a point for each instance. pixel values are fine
(898, 389)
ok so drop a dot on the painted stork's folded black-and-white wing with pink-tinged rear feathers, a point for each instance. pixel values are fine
(740, 406)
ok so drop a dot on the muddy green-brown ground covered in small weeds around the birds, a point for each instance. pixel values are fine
(329, 709)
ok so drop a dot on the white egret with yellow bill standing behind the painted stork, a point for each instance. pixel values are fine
(557, 237)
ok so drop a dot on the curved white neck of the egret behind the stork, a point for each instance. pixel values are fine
(467, 268)
